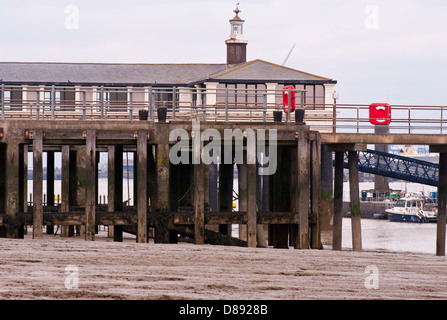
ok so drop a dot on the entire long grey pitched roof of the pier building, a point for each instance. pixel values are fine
(160, 74)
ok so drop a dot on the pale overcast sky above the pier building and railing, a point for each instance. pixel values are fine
(379, 51)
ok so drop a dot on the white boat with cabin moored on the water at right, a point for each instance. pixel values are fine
(411, 209)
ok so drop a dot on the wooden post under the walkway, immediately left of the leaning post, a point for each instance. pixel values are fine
(338, 201)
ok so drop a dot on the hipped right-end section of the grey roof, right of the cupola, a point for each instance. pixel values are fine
(263, 70)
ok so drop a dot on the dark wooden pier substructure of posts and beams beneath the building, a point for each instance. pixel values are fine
(189, 199)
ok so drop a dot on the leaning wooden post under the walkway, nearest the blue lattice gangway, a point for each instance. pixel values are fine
(355, 201)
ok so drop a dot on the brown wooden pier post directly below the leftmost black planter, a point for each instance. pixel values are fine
(141, 192)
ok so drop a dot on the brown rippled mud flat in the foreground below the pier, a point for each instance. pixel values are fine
(36, 269)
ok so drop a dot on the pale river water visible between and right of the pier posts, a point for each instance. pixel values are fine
(376, 234)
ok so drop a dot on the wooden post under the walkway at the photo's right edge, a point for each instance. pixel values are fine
(442, 205)
